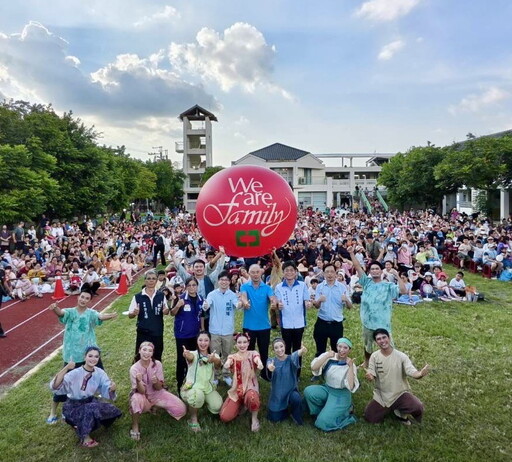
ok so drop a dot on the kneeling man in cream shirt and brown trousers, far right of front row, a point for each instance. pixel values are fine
(388, 369)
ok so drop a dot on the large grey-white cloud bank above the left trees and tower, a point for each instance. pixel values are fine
(40, 69)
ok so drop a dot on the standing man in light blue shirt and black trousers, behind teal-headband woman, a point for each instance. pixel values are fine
(330, 297)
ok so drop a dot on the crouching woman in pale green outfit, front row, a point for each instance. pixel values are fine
(199, 386)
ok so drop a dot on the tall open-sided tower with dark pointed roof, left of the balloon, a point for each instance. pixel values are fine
(197, 151)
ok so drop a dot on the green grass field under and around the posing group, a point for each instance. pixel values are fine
(467, 398)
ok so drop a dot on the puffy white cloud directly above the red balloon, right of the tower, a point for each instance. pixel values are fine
(240, 57)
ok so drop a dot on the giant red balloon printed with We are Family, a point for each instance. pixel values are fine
(247, 209)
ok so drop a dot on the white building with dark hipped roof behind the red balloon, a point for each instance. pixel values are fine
(319, 186)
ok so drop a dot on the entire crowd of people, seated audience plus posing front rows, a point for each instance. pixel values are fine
(331, 261)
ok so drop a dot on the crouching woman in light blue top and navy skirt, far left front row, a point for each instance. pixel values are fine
(83, 410)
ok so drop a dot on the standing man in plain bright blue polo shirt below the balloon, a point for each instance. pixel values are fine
(255, 296)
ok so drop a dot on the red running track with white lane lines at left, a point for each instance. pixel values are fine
(33, 332)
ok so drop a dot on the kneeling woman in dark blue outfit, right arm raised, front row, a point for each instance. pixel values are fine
(284, 397)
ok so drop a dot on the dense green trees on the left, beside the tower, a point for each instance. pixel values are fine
(54, 164)
